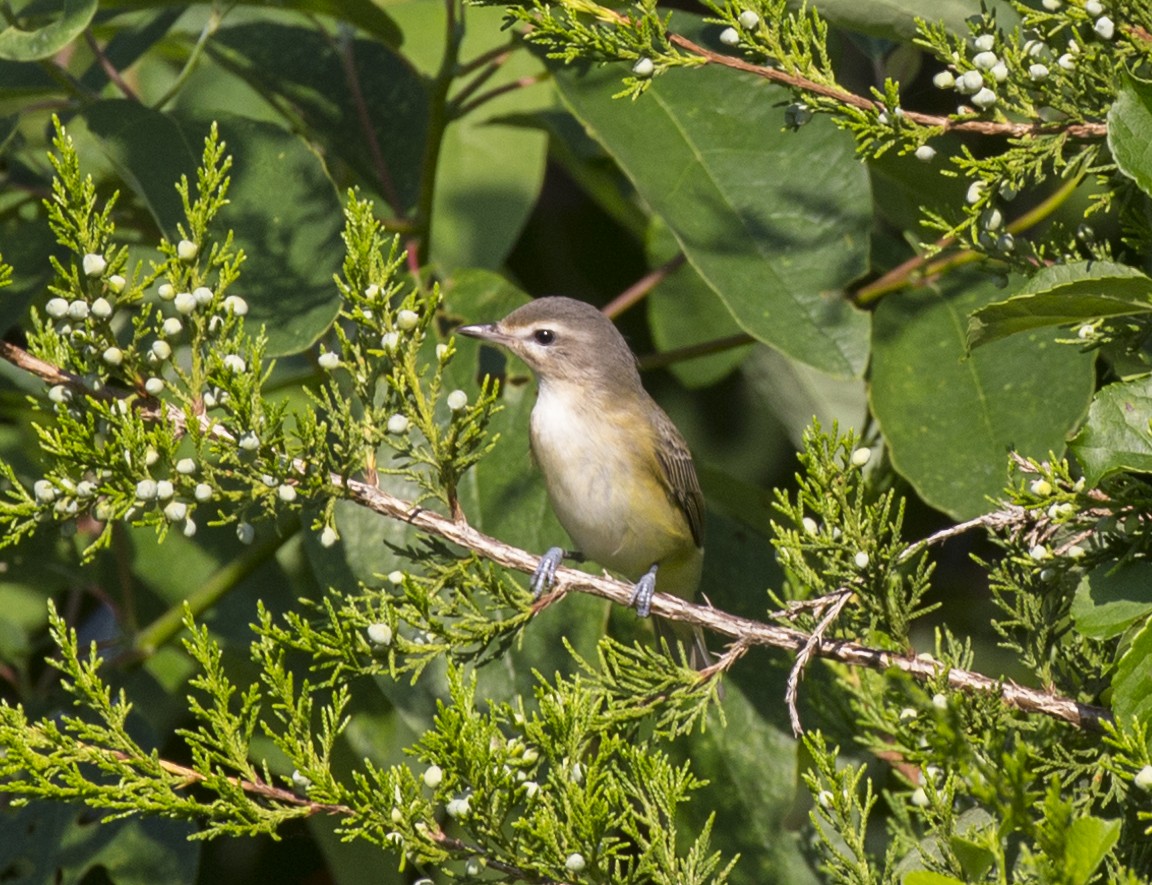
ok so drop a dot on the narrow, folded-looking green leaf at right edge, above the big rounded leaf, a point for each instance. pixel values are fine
(1064, 294)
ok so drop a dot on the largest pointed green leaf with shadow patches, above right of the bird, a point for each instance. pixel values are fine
(708, 152)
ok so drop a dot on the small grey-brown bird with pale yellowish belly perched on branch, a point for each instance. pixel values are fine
(620, 476)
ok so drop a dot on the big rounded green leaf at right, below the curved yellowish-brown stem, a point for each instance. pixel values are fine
(952, 418)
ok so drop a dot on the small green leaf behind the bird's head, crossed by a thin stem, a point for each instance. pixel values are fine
(684, 311)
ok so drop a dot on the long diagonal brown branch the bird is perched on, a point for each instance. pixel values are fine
(744, 631)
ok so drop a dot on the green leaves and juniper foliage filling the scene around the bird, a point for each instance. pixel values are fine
(814, 266)
